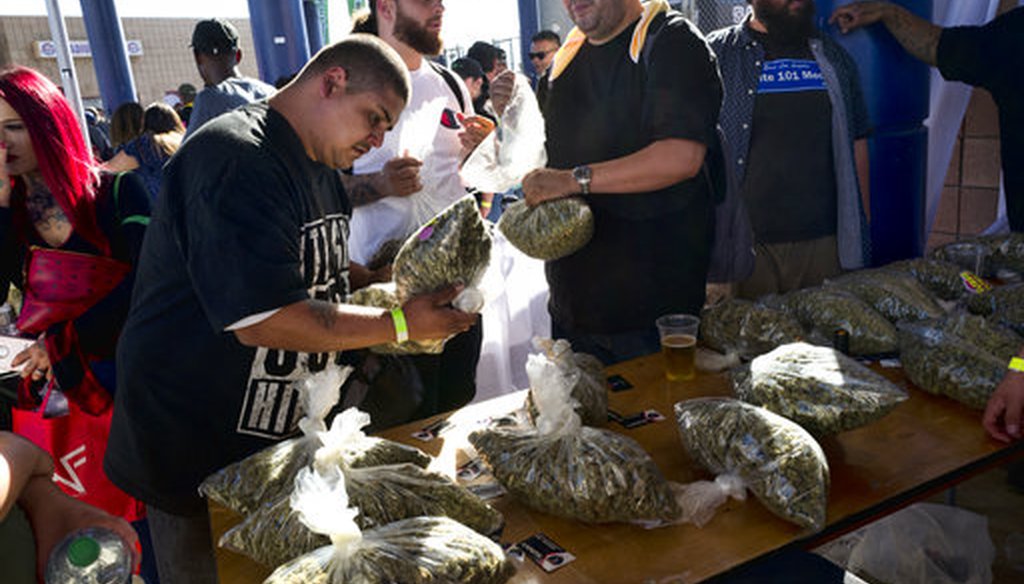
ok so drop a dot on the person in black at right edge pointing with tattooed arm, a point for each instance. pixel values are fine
(988, 57)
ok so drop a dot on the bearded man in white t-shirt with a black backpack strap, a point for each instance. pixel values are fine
(399, 187)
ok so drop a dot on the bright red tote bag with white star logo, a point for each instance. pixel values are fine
(78, 442)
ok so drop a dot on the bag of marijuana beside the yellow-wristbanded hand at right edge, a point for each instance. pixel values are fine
(943, 363)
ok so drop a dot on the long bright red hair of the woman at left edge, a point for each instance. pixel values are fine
(66, 163)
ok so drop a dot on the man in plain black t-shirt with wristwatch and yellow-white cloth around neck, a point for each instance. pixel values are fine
(633, 103)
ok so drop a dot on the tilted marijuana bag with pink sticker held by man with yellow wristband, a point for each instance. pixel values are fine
(452, 248)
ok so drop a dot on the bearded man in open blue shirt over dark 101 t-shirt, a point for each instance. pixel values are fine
(796, 123)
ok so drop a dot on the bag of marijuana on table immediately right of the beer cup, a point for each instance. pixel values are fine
(747, 328)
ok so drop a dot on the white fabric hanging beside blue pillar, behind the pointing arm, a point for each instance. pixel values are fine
(949, 105)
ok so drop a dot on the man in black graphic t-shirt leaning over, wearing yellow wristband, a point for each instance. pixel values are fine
(240, 290)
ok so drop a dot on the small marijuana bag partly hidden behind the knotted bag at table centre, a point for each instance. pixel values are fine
(583, 372)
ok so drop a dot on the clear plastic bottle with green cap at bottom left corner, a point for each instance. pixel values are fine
(92, 556)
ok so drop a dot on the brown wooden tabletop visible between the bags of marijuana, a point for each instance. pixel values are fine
(926, 445)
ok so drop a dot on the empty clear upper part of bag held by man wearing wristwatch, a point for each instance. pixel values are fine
(515, 149)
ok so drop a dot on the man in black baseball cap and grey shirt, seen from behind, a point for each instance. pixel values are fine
(216, 46)
